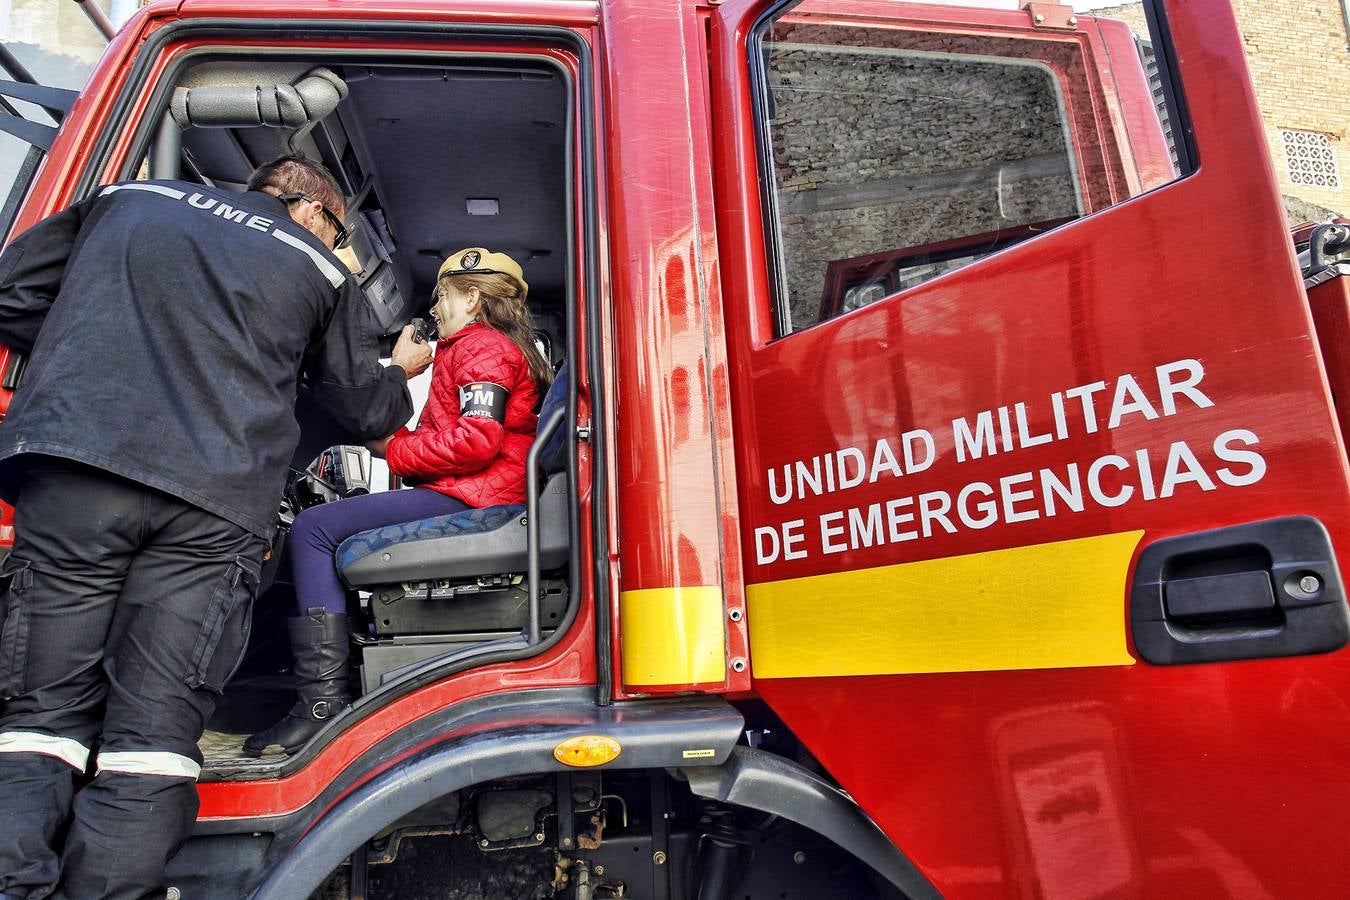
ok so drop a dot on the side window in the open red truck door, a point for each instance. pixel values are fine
(905, 149)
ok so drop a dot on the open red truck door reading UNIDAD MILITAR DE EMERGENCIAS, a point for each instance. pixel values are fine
(1043, 496)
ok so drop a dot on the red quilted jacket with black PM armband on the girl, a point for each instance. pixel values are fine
(477, 459)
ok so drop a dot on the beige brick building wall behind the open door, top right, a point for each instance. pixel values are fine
(1299, 57)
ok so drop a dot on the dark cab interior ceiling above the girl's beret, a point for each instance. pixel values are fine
(427, 140)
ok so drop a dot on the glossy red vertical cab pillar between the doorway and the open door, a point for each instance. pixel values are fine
(673, 424)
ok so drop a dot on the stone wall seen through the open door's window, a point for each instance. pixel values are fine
(893, 149)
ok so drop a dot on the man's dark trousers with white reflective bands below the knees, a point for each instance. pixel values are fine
(128, 612)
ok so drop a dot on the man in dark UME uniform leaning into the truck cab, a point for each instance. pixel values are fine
(168, 329)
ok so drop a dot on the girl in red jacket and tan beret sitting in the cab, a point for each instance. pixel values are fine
(468, 451)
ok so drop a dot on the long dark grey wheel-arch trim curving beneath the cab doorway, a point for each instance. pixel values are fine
(502, 743)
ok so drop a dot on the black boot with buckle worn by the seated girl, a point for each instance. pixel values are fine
(319, 642)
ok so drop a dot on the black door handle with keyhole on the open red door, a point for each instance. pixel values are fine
(1240, 593)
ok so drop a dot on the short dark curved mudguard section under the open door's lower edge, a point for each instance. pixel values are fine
(769, 783)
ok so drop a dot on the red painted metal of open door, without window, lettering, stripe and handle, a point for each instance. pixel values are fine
(1117, 781)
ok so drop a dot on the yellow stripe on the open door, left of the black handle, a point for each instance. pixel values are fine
(1047, 607)
